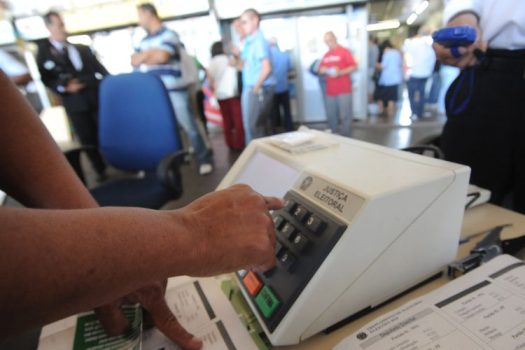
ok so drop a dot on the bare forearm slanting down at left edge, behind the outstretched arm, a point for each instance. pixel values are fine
(34, 171)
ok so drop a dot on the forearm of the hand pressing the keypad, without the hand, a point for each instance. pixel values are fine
(63, 262)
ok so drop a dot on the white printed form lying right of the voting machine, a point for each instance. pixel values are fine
(484, 309)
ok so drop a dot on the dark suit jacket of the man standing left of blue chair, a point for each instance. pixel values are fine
(56, 72)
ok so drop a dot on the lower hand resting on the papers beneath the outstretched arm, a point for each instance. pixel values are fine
(151, 297)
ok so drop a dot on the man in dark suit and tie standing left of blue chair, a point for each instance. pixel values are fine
(74, 73)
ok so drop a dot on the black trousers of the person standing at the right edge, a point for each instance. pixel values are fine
(489, 134)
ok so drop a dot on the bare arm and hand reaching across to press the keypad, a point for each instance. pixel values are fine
(60, 262)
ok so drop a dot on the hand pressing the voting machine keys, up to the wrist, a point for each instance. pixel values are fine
(231, 229)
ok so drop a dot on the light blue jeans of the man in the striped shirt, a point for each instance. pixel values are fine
(180, 101)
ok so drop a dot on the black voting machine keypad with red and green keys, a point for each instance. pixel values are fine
(305, 236)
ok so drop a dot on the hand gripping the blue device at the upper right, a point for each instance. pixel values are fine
(467, 54)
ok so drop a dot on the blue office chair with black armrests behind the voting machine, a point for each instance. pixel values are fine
(138, 132)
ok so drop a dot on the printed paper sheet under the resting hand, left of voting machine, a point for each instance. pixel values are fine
(199, 305)
